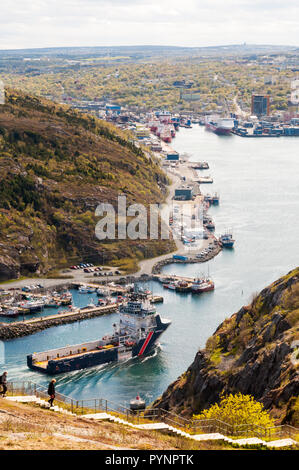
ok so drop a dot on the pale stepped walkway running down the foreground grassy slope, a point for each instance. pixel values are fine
(250, 441)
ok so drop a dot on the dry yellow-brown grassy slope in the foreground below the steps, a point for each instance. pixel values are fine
(26, 427)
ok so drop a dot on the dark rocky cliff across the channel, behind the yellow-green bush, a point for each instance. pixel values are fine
(253, 352)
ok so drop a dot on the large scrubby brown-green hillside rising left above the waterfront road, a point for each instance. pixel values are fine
(56, 165)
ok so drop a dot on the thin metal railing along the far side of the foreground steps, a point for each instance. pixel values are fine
(203, 425)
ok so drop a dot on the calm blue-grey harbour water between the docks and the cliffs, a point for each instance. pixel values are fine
(259, 189)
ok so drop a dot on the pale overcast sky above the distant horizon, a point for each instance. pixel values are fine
(49, 23)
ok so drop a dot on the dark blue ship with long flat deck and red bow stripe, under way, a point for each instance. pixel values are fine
(136, 335)
